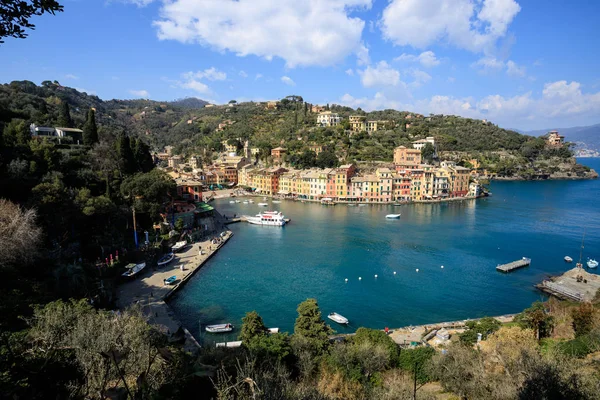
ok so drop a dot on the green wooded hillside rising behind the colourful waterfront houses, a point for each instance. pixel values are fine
(194, 130)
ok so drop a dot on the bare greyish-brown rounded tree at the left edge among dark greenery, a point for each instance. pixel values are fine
(20, 236)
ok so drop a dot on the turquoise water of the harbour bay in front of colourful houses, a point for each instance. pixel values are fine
(271, 269)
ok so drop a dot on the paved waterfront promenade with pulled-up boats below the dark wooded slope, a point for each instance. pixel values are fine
(150, 293)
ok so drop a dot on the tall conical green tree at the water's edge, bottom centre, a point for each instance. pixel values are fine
(310, 326)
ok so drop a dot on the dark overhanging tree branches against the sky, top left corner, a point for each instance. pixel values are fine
(15, 15)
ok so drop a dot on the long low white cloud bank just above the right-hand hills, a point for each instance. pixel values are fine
(560, 103)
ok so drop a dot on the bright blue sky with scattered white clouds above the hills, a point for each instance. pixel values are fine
(522, 64)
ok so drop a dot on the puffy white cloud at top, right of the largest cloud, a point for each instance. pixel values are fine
(474, 25)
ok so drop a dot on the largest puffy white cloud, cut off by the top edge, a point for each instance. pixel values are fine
(319, 32)
